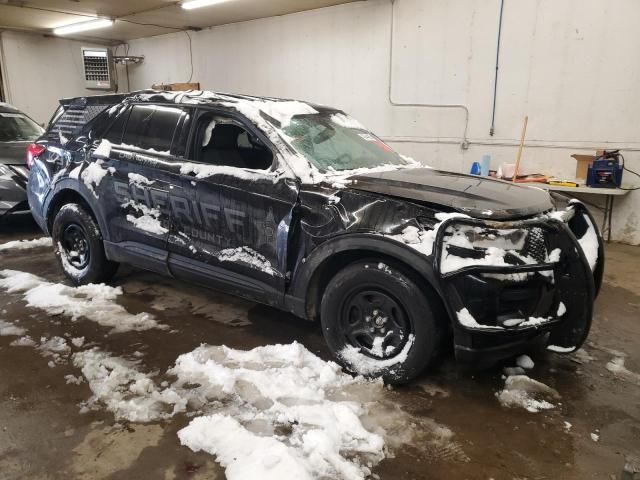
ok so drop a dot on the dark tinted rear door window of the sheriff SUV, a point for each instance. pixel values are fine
(152, 126)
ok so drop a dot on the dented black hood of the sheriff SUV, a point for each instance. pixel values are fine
(478, 197)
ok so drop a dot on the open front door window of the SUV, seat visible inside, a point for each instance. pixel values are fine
(222, 141)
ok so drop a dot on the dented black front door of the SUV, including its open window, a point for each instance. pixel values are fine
(236, 232)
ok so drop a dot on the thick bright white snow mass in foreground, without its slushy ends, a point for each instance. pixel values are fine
(284, 392)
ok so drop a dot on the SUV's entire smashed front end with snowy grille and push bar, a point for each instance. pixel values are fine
(509, 285)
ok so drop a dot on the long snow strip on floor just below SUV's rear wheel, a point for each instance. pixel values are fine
(93, 302)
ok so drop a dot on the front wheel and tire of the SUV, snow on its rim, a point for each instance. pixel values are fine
(370, 295)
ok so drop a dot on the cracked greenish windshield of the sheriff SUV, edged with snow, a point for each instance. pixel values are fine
(334, 141)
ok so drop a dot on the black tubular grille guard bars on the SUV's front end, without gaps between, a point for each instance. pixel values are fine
(575, 284)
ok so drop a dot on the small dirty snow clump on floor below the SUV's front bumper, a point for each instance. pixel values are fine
(520, 391)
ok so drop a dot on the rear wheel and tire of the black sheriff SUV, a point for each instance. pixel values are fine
(78, 246)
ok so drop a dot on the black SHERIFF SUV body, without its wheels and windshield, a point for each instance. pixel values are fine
(275, 237)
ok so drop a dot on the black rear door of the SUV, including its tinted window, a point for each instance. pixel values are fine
(141, 156)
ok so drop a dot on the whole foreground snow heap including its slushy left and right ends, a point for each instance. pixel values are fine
(273, 412)
